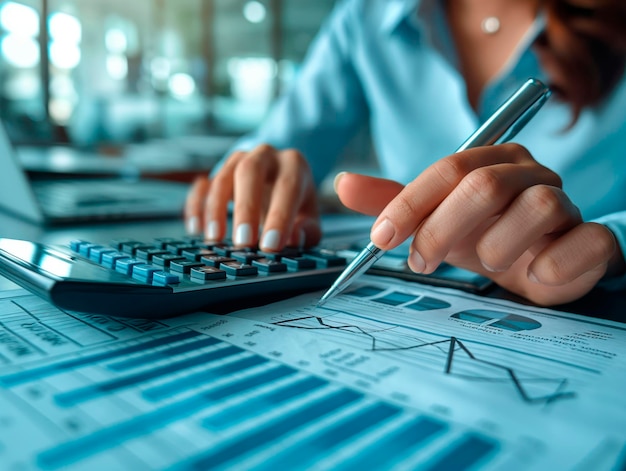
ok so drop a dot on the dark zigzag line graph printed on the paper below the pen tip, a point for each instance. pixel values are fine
(458, 359)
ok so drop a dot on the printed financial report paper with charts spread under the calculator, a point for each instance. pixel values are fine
(389, 375)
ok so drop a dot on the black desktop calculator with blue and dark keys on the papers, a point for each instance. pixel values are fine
(162, 277)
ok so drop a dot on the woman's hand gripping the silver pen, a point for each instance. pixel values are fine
(492, 210)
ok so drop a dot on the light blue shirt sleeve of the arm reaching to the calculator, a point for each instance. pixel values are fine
(325, 106)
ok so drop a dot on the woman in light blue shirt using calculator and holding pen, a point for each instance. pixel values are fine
(544, 218)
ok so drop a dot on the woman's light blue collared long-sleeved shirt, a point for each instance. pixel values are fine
(391, 64)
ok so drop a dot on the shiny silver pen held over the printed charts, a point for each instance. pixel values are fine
(501, 126)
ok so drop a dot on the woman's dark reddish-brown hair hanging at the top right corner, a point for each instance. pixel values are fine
(583, 48)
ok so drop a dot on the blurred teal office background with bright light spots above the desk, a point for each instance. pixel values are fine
(92, 72)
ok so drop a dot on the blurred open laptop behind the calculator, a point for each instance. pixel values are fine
(72, 200)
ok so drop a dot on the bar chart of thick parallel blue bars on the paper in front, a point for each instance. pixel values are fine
(186, 400)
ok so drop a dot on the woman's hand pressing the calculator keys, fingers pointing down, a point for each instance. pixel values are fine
(270, 188)
